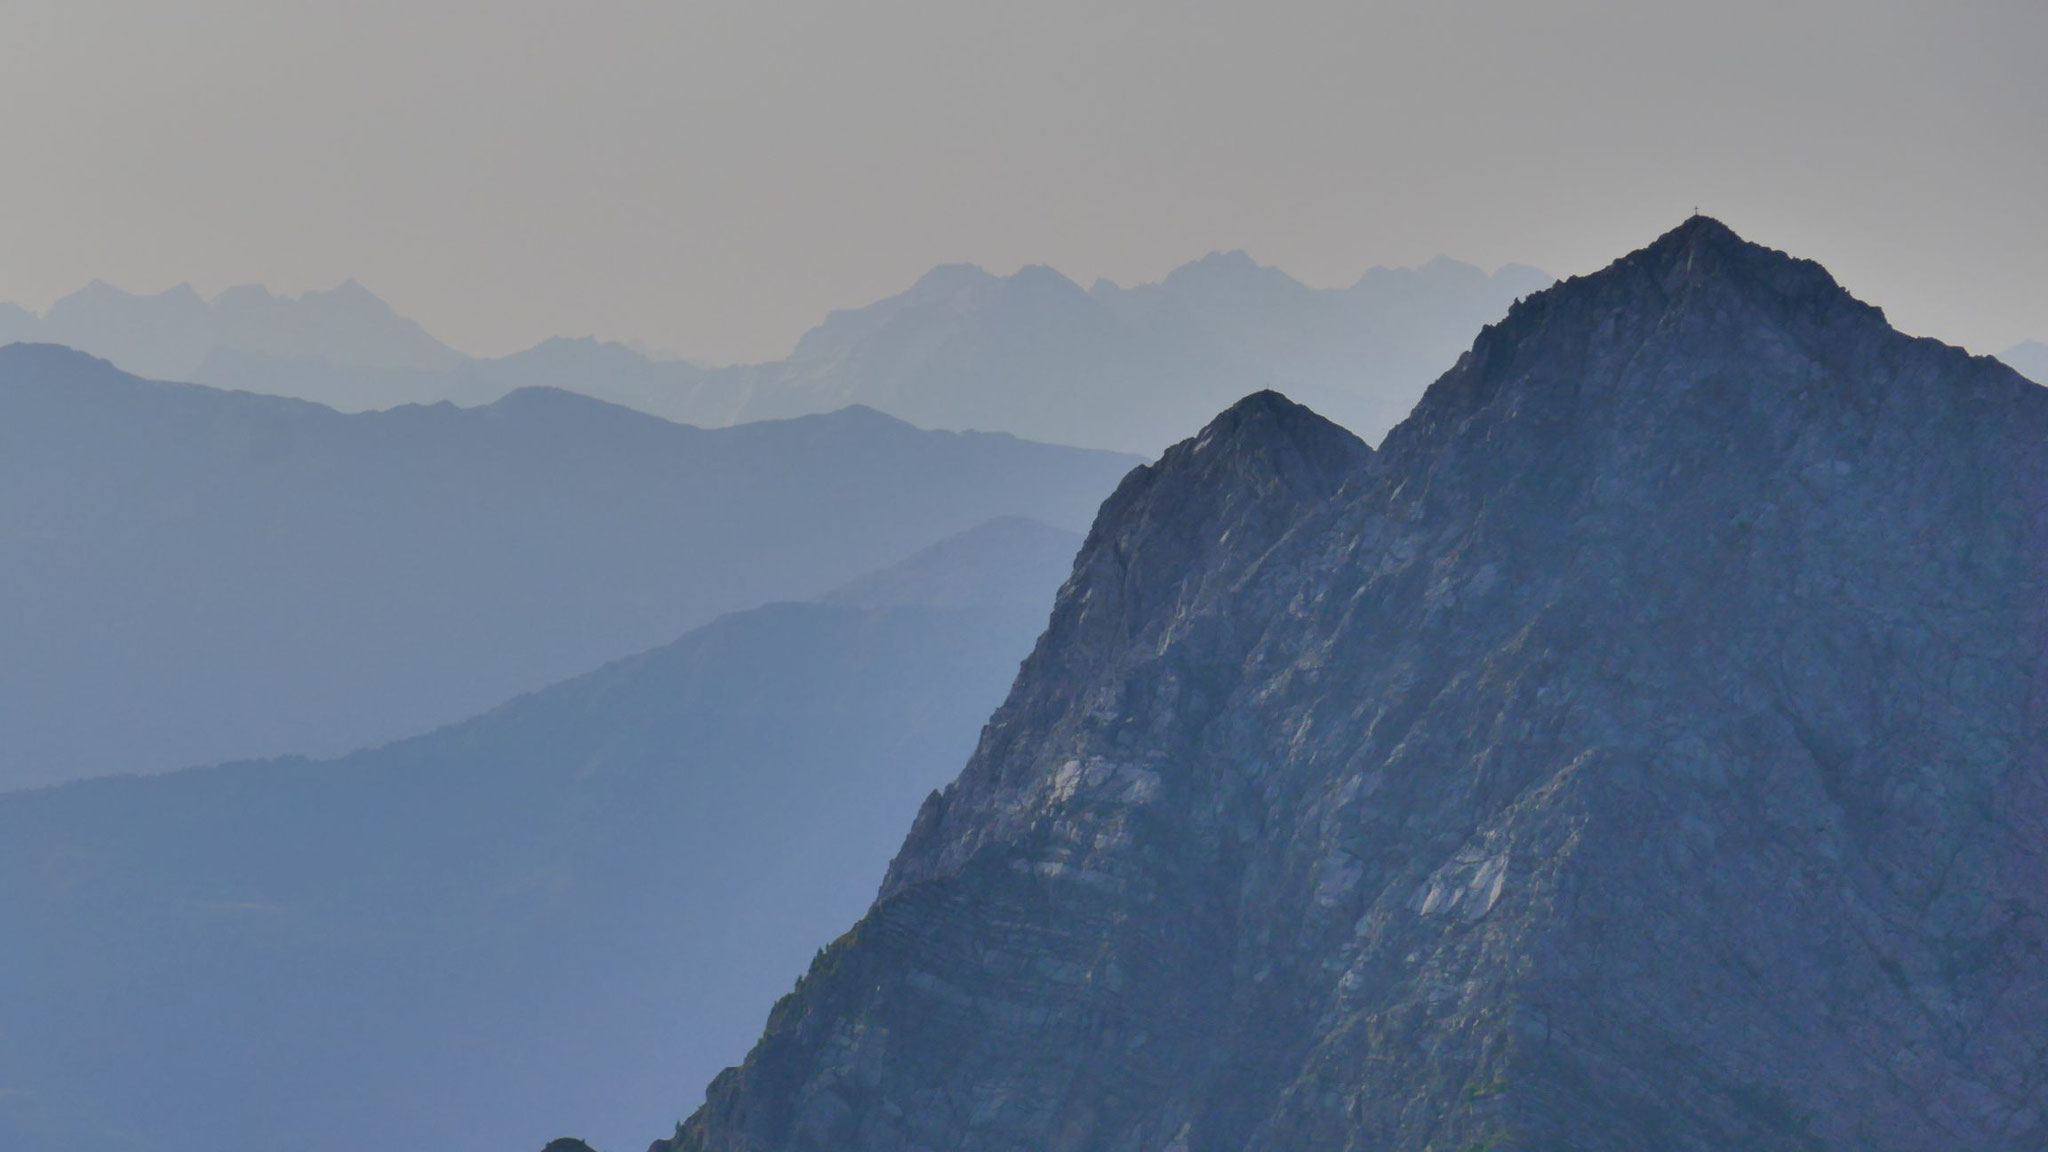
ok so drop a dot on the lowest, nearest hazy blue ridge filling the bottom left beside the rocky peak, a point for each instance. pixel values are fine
(546, 919)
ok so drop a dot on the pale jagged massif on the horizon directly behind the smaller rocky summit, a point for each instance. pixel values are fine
(1148, 366)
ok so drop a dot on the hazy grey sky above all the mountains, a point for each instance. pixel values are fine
(716, 175)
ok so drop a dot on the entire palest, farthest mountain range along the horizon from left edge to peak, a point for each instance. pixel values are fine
(1031, 354)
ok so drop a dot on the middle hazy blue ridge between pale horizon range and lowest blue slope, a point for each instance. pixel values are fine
(198, 575)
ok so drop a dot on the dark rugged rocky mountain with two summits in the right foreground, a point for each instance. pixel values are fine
(1644, 749)
